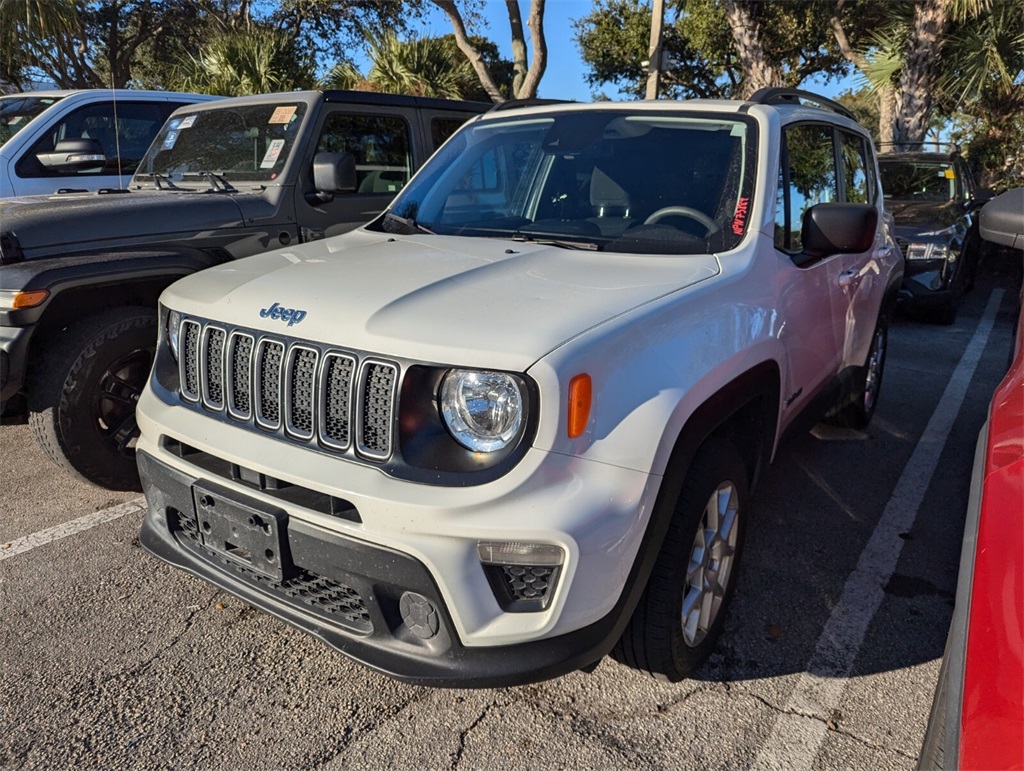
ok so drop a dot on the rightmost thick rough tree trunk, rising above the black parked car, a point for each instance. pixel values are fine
(920, 76)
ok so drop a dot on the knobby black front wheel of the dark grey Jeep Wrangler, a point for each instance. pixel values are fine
(82, 397)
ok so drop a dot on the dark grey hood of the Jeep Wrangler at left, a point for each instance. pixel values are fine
(77, 223)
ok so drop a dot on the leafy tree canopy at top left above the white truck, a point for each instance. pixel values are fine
(123, 44)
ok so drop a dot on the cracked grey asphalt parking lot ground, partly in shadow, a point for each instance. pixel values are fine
(831, 654)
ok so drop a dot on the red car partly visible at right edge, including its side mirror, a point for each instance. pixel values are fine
(977, 720)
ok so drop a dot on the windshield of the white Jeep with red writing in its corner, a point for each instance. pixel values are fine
(644, 183)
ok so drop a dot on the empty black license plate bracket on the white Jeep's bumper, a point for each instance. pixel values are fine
(246, 533)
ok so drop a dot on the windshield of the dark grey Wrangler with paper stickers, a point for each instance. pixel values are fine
(223, 149)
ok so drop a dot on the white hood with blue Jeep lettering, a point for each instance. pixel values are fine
(448, 301)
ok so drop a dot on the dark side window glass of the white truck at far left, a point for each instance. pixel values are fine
(124, 132)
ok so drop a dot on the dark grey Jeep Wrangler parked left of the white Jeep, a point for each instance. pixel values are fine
(80, 274)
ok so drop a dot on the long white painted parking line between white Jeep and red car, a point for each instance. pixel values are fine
(799, 733)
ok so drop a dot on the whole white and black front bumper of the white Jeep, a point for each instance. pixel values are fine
(400, 539)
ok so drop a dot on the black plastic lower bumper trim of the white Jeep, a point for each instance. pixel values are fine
(371, 629)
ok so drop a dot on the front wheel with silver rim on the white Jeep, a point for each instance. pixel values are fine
(682, 611)
